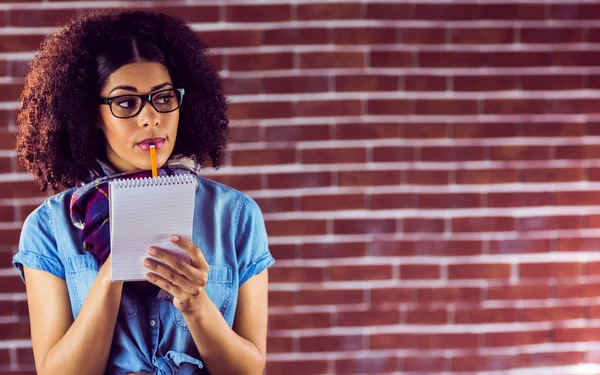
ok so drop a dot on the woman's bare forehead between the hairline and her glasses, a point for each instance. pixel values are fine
(141, 75)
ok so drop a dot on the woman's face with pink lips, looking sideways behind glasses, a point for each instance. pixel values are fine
(127, 139)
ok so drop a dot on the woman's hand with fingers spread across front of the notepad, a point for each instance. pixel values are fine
(186, 282)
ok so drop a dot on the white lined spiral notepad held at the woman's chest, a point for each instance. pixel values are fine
(143, 213)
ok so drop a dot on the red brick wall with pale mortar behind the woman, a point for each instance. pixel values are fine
(428, 172)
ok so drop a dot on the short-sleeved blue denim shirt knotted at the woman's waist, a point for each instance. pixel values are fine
(151, 335)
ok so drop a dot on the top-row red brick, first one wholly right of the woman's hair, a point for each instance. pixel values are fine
(258, 13)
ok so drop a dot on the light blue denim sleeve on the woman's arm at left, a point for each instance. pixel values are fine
(37, 244)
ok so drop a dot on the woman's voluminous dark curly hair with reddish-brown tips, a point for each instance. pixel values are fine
(57, 140)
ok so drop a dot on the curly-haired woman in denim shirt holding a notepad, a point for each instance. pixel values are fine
(99, 90)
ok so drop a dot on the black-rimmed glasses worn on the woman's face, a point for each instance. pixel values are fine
(163, 101)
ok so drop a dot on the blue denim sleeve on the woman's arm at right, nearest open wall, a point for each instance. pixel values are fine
(252, 244)
